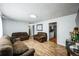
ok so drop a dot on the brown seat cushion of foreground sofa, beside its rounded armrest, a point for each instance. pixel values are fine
(19, 47)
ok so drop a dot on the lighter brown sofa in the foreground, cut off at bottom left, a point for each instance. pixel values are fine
(16, 49)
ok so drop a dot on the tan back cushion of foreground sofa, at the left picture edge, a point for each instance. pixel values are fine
(5, 47)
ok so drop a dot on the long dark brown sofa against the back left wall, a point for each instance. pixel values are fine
(19, 36)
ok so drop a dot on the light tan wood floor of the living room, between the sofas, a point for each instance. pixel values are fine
(46, 49)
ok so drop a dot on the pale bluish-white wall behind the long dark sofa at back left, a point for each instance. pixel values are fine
(10, 26)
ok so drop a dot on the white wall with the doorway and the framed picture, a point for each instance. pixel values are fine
(65, 25)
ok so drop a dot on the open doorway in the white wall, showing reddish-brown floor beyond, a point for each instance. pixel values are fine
(53, 32)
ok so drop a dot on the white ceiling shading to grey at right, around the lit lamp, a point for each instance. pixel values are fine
(43, 11)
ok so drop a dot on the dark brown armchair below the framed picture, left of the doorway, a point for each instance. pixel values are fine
(41, 37)
